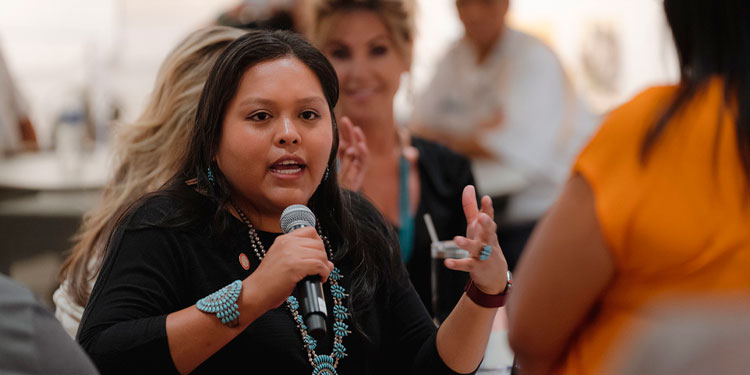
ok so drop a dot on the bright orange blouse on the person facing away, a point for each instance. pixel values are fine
(678, 225)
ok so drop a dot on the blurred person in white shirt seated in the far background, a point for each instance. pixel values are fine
(501, 98)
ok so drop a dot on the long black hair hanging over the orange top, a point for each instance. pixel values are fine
(712, 39)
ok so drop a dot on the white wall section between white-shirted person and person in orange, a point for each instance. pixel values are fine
(644, 53)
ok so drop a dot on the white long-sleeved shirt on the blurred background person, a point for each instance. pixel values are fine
(544, 123)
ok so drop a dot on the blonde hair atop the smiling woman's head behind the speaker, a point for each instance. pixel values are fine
(397, 15)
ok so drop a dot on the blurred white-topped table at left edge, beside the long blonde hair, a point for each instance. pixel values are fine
(43, 199)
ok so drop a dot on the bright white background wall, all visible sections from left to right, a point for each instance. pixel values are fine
(58, 47)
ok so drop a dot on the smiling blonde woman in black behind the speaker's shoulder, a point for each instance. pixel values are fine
(369, 43)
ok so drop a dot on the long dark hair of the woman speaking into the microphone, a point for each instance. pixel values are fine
(366, 242)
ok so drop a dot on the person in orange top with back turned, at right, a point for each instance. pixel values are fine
(657, 207)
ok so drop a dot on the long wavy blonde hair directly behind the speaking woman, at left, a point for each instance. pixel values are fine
(148, 151)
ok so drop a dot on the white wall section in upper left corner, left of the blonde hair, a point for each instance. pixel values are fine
(56, 48)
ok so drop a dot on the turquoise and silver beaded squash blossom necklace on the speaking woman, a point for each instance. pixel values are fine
(322, 364)
